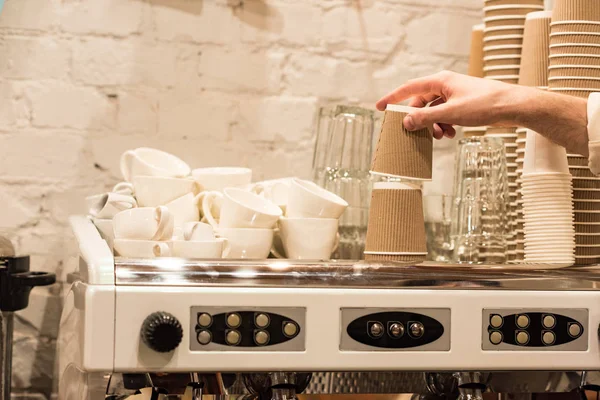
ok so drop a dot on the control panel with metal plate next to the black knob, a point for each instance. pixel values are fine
(247, 329)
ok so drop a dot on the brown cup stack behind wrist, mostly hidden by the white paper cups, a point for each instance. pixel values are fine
(534, 72)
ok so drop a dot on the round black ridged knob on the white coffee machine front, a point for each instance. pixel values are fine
(161, 332)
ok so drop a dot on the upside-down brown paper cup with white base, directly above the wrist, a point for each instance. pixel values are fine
(534, 61)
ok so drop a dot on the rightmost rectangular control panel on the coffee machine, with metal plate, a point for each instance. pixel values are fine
(535, 329)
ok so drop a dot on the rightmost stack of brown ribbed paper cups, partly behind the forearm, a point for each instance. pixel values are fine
(575, 70)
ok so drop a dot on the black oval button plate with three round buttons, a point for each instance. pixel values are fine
(395, 329)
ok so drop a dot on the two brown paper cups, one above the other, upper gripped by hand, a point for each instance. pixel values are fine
(396, 229)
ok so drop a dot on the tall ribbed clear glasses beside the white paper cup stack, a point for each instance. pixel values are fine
(480, 215)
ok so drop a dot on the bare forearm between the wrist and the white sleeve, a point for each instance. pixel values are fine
(560, 118)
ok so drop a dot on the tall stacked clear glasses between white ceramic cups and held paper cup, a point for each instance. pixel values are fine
(341, 164)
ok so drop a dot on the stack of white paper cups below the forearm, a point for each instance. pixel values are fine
(547, 203)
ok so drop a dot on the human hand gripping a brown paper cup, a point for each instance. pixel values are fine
(457, 99)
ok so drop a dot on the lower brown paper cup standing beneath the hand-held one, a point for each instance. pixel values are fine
(396, 222)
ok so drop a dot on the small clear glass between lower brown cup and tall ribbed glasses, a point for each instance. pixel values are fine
(438, 221)
